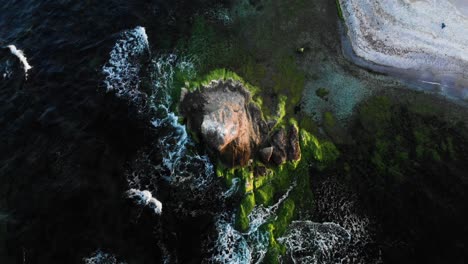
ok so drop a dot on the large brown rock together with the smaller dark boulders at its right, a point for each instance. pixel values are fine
(232, 127)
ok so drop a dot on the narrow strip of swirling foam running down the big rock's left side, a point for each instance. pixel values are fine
(176, 141)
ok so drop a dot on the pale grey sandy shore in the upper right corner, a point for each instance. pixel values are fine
(427, 39)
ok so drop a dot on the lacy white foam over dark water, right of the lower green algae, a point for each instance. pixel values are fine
(336, 205)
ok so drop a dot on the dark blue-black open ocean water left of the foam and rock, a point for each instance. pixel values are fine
(66, 144)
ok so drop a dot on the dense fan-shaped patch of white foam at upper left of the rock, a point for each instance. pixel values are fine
(122, 71)
